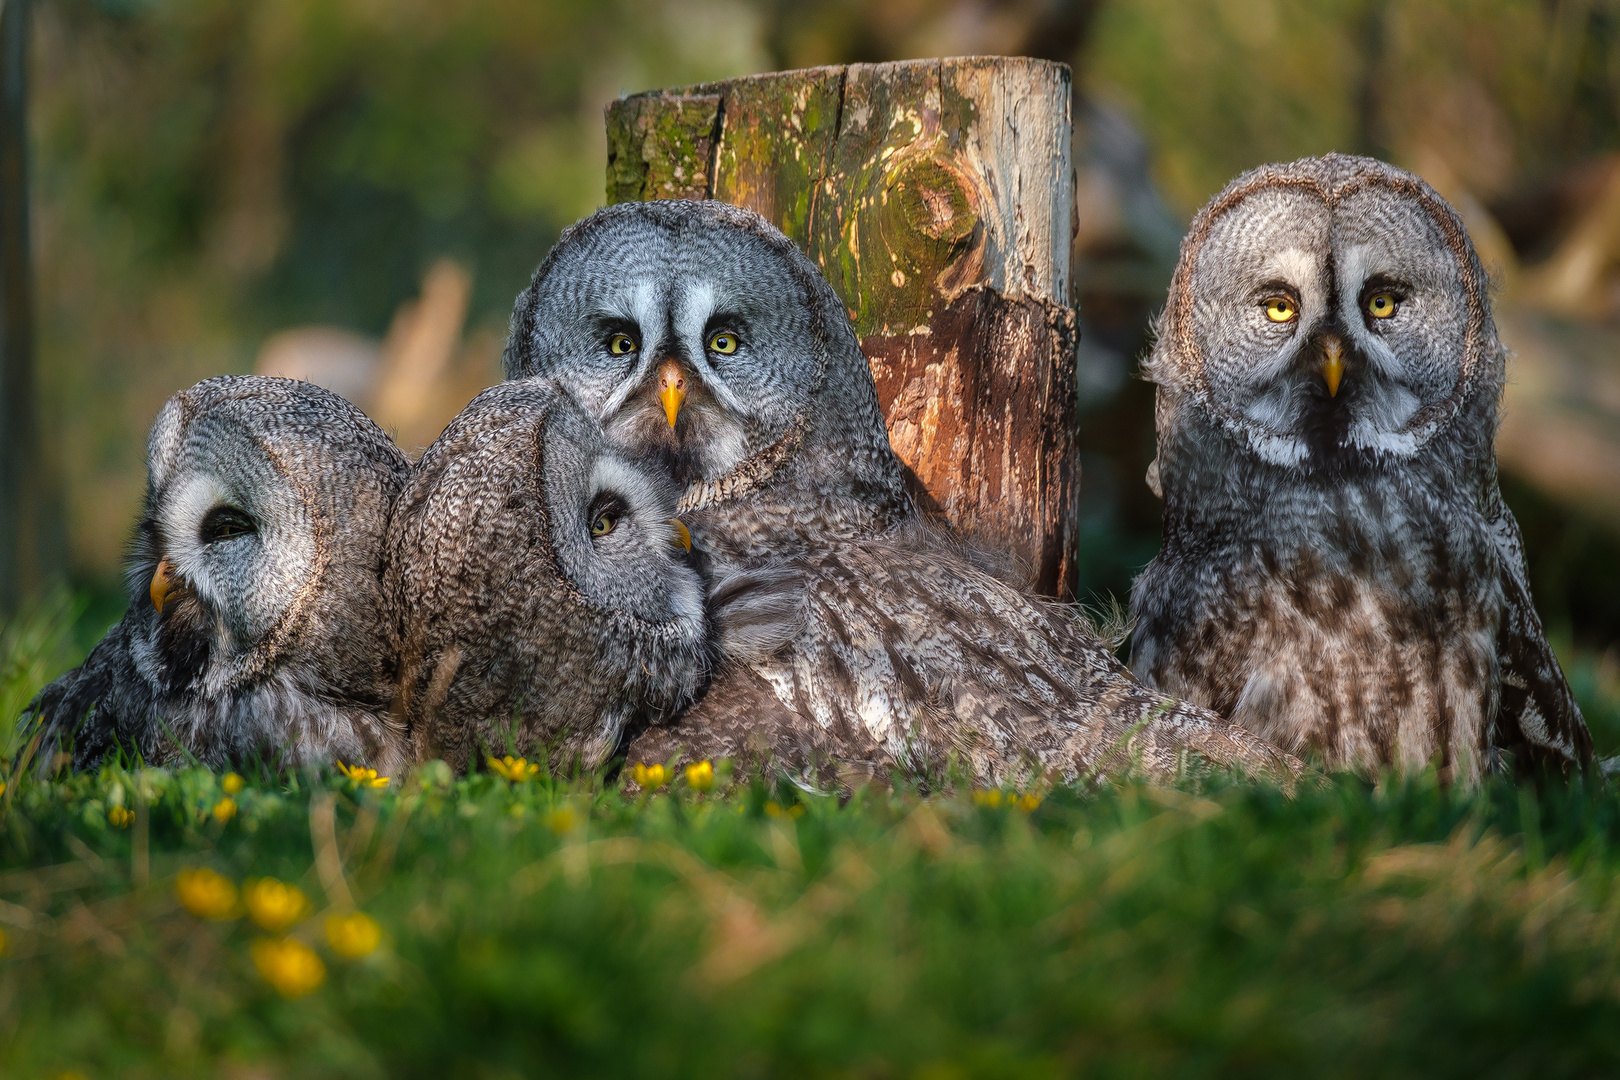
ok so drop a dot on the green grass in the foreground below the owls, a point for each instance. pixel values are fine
(558, 929)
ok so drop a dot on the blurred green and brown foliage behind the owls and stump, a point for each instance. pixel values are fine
(210, 172)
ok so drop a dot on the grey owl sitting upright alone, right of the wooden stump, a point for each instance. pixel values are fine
(1339, 572)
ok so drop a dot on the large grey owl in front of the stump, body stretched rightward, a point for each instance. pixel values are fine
(702, 339)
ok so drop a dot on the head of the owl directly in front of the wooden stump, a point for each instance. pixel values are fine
(699, 336)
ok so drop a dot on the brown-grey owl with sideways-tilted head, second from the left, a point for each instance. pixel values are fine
(542, 585)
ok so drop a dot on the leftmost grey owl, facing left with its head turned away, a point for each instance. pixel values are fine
(257, 623)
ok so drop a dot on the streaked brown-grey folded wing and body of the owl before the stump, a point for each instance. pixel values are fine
(911, 657)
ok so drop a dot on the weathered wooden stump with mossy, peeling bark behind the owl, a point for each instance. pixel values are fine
(937, 197)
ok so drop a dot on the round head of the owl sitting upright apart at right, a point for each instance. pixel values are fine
(1328, 313)
